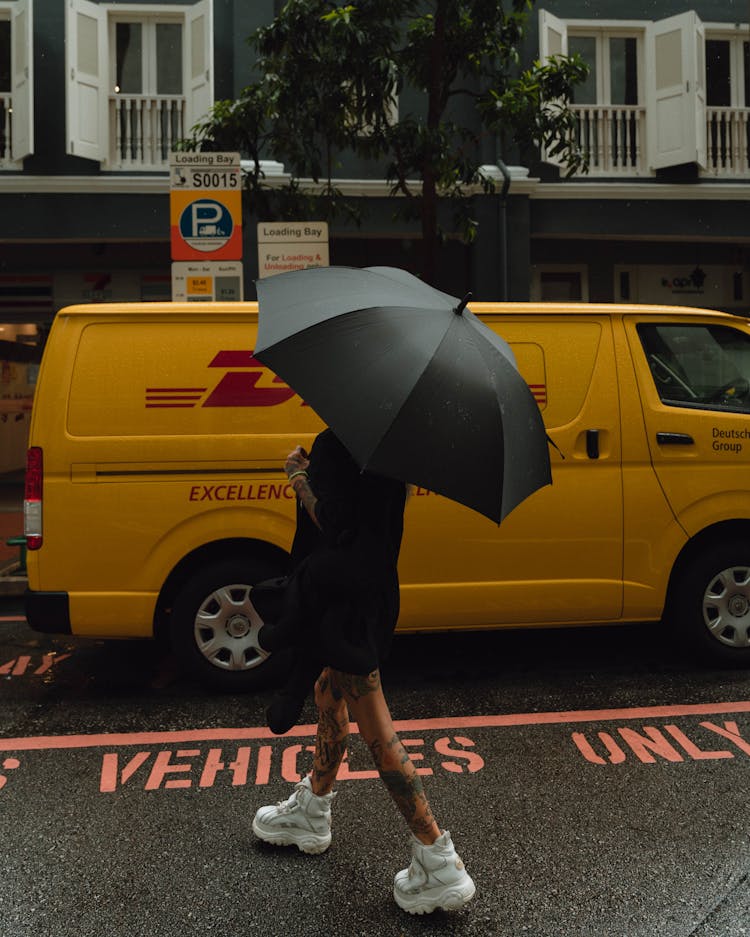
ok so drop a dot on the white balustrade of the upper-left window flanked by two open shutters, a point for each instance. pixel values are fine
(143, 129)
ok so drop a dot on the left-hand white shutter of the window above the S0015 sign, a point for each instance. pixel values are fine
(86, 75)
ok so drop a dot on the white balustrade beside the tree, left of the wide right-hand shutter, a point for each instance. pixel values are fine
(612, 137)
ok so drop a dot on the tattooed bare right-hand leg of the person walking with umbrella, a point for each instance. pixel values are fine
(365, 700)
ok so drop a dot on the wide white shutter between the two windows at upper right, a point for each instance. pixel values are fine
(675, 93)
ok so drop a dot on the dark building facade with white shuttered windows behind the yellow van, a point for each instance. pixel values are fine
(93, 95)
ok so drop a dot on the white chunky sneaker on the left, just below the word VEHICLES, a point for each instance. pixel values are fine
(303, 820)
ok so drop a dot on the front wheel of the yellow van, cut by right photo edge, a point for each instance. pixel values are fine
(711, 603)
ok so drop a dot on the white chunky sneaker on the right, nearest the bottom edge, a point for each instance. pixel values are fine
(436, 878)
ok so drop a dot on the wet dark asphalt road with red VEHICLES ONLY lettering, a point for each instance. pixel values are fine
(595, 782)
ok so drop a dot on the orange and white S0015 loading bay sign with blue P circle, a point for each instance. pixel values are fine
(205, 206)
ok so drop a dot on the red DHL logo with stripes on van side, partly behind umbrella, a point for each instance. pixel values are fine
(238, 387)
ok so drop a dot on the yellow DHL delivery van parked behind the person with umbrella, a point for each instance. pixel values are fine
(156, 496)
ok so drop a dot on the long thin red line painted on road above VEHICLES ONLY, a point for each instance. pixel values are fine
(110, 740)
